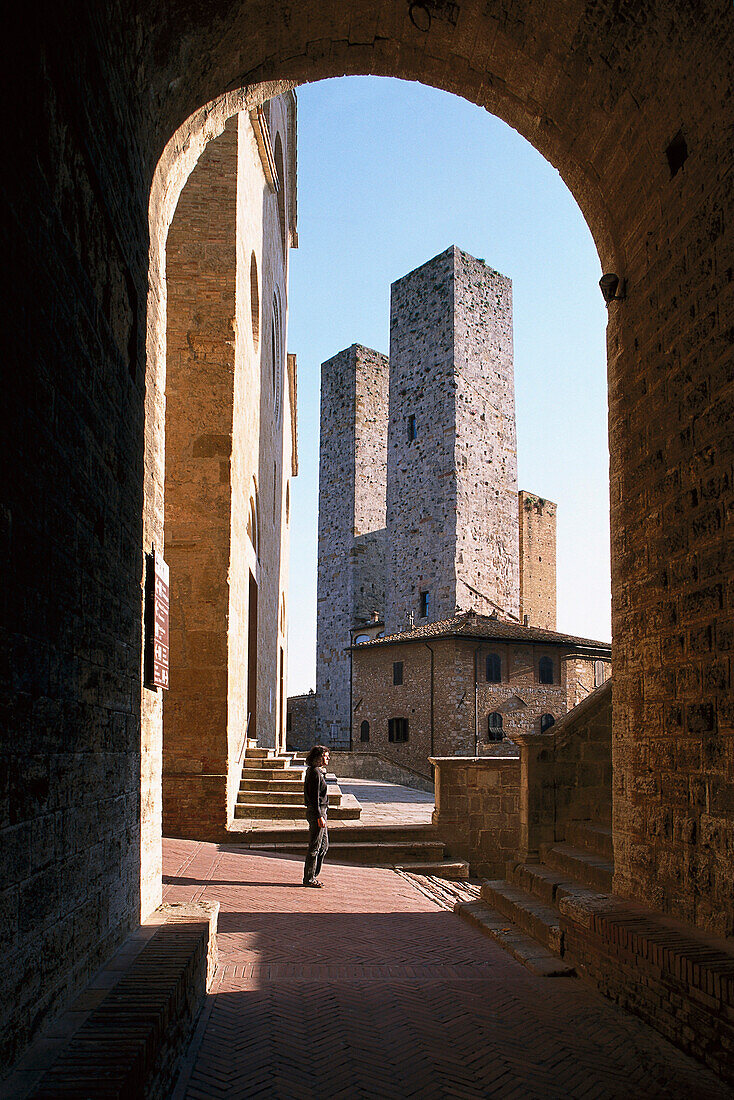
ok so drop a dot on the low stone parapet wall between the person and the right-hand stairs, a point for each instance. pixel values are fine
(478, 810)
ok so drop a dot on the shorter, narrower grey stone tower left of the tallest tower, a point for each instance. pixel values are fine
(352, 523)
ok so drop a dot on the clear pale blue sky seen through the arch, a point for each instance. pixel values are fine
(391, 174)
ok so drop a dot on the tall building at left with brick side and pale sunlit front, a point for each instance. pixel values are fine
(231, 456)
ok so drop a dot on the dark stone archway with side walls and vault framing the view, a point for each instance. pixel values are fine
(631, 103)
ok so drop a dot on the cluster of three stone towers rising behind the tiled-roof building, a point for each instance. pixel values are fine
(419, 502)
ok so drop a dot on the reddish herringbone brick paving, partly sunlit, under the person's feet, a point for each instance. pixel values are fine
(368, 989)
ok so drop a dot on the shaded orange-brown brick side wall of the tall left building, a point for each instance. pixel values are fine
(202, 271)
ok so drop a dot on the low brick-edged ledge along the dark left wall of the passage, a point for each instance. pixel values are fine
(125, 1033)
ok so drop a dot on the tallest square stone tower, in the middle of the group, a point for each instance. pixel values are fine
(452, 518)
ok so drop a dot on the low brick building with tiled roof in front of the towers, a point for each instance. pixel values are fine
(462, 687)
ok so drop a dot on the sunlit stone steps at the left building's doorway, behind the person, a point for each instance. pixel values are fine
(272, 789)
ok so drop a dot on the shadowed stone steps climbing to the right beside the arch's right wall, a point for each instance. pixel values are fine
(523, 911)
